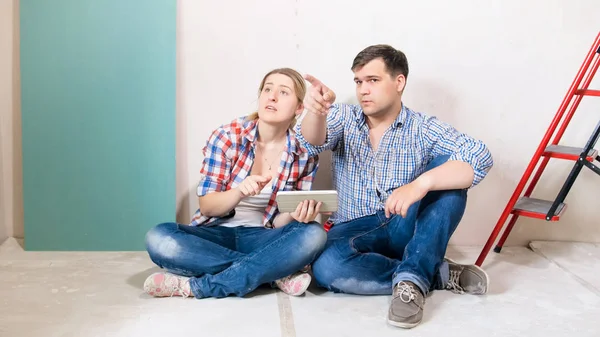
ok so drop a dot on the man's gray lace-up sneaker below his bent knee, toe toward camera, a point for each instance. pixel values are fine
(406, 310)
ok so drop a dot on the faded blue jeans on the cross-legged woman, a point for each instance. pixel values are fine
(221, 261)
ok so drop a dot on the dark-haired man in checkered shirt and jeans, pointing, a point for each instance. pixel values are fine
(402, 178)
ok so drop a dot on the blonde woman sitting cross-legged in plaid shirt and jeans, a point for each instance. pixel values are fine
(238, 239)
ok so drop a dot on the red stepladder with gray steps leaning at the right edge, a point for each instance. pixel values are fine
(551, 210)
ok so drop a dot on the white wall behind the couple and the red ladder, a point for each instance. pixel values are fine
(496, 70)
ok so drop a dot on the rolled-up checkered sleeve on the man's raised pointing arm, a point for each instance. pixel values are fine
(335, 131)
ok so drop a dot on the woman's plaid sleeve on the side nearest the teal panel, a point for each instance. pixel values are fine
(216, 167)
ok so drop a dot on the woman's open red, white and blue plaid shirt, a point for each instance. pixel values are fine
(228, 159)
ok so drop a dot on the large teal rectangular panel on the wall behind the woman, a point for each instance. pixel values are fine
(98, 117)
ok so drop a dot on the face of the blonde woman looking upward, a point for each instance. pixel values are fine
(277, 103)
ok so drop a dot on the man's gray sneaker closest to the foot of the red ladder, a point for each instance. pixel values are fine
(467, 278)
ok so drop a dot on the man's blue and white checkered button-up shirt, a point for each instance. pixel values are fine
(364, 179)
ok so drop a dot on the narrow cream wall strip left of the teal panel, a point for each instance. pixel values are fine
(11, 223)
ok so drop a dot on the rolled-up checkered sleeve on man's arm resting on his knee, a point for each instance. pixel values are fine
(443, 139)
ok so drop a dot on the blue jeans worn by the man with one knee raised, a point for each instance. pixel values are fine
(371, 254)
